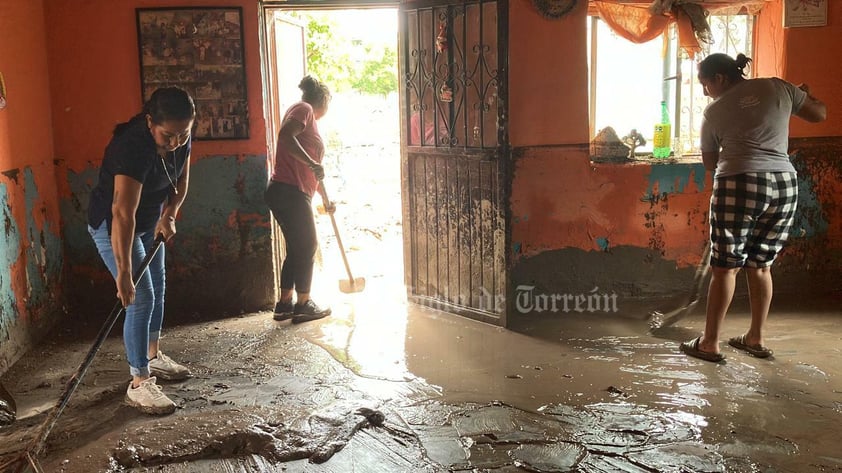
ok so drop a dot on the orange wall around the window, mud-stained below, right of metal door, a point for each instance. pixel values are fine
(575, 221)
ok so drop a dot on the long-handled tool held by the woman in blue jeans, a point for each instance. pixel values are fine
(27, 461)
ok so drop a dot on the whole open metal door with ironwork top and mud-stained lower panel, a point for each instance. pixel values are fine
(453, 59)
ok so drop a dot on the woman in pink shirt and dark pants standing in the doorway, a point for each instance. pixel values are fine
(296, 177)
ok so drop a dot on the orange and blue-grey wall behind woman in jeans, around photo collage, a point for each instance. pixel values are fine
(220, 261)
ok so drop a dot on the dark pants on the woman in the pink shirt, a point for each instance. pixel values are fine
(294, 213)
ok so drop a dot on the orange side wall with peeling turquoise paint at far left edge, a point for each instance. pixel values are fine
(30, 245)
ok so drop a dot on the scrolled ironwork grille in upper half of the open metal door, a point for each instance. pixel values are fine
(452, 75)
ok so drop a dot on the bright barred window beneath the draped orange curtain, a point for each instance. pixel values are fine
(628, 81)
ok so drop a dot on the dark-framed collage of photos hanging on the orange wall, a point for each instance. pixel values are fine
(199, 49)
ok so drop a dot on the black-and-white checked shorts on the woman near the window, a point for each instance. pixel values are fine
(750, 218)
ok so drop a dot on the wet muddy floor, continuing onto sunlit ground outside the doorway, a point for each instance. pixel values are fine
(385, 386)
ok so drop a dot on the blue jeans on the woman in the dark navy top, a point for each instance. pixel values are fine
(145, 316)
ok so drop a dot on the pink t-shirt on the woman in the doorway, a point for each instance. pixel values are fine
(288, 169)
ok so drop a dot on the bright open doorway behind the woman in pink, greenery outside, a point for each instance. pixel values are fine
(361, 132)
